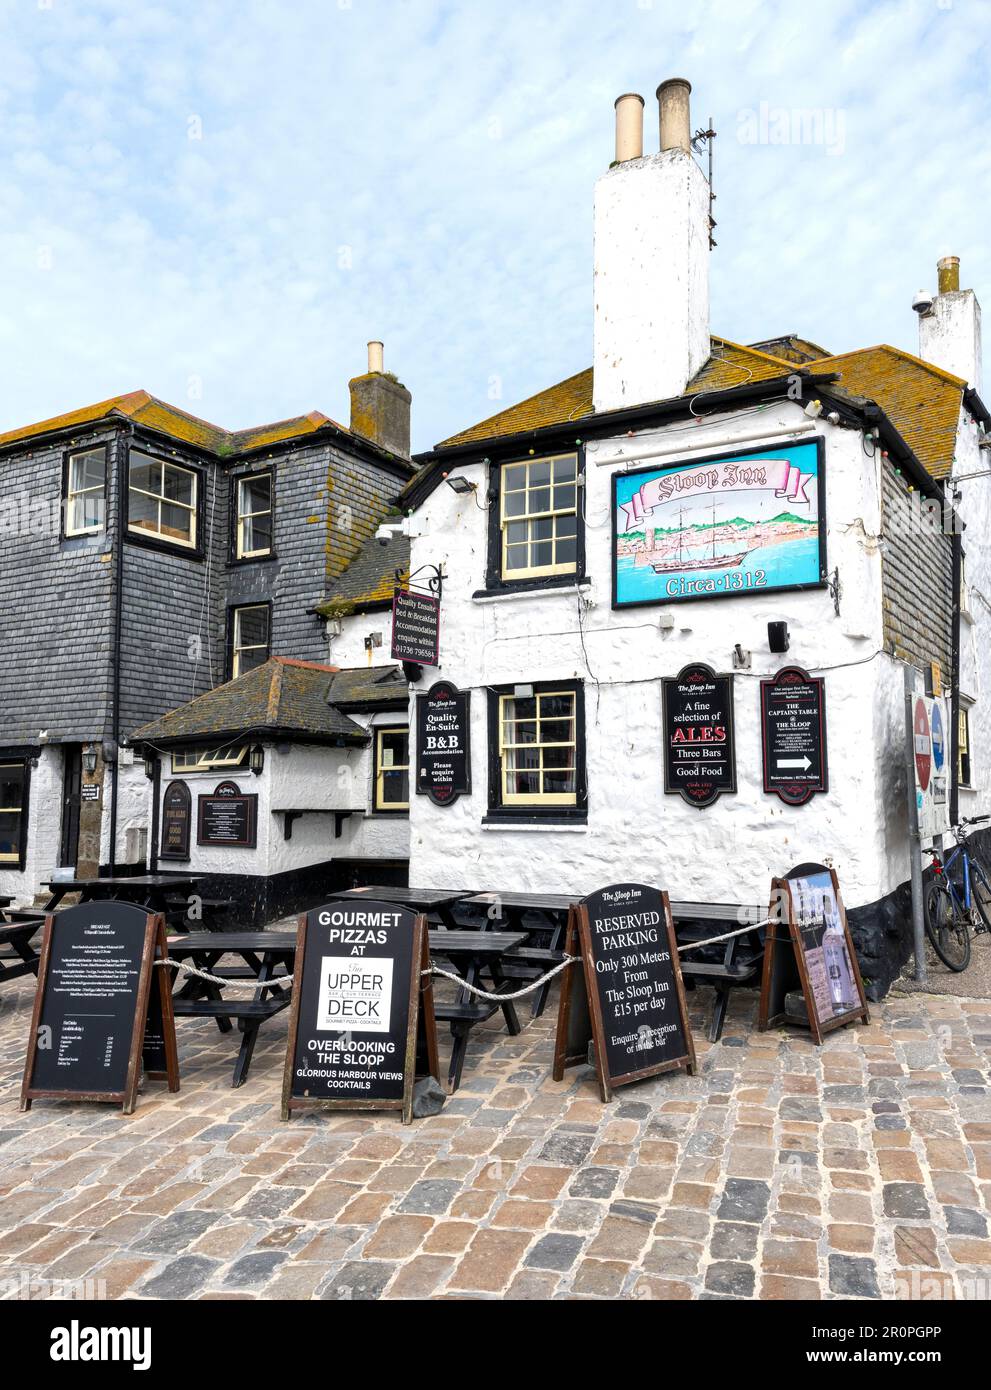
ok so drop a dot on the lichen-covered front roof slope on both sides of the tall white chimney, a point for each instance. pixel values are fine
(730, 365)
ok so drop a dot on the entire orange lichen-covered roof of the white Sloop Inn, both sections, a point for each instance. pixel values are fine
(922, 401)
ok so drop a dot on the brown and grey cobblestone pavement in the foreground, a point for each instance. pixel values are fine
(857, 1171)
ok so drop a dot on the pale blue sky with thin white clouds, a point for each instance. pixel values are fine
(222, 202)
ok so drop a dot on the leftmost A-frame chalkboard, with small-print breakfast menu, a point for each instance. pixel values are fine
(102, 1008)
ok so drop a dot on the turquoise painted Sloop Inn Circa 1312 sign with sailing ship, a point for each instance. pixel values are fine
(735, 525)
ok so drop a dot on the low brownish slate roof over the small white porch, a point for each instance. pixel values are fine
(283, 698)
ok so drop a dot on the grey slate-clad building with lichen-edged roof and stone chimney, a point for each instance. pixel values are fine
(149, 557)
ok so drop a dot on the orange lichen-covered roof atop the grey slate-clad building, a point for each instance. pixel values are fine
(156, 415)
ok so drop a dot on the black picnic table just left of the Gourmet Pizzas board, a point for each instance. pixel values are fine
(268, 956)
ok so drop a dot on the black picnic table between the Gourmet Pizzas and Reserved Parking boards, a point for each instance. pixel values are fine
(475, 954)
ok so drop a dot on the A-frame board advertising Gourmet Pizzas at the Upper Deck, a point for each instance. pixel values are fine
(362, 1022)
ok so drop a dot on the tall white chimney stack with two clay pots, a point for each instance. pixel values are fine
(651, 259)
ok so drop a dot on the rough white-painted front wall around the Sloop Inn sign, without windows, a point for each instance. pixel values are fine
(730, 851)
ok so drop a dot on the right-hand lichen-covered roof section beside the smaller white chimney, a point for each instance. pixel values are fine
(922, 401)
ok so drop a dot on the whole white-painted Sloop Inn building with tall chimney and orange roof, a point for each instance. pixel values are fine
(697, 502)
